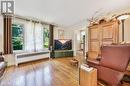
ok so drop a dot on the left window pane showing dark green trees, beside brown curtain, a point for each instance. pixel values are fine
(17, 36)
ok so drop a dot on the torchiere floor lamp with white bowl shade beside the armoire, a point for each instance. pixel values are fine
(122, 18)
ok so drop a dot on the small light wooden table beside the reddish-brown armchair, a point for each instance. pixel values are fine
(88, 78)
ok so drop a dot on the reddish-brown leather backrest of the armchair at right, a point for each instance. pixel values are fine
(112, 57)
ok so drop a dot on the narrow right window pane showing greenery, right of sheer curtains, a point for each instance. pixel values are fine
(46, 37)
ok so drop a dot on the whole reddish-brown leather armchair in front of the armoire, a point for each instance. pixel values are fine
(113, 63)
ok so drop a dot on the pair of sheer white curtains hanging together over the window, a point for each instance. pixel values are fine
(33, 36)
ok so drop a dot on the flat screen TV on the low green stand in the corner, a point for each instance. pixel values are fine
(63, 44)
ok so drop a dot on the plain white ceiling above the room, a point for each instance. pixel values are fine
(67, 13)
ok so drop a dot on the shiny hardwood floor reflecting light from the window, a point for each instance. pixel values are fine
(54, 72)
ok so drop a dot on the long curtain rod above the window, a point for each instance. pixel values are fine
(33, 20)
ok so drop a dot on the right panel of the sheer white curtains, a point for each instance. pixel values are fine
(38, 37)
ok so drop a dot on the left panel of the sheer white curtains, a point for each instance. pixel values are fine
(29, 37)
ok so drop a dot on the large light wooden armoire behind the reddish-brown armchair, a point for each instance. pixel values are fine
(102, 34)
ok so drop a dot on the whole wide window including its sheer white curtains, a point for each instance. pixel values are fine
(29, 36)
